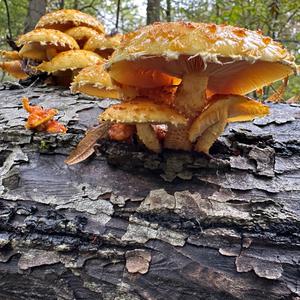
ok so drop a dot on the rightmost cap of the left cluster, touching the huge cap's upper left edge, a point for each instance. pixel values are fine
(103, 45)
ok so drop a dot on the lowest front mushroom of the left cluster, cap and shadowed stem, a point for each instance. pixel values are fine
(64, 65)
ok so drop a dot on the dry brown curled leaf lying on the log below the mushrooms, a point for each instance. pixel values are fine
(85, 148)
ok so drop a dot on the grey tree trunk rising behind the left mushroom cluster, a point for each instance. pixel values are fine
(36, 9)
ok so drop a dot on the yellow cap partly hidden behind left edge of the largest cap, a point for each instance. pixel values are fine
(95, 81)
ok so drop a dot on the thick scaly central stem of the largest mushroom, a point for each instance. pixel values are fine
(190, 99)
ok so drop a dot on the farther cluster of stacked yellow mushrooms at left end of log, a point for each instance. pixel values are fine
(62, 43)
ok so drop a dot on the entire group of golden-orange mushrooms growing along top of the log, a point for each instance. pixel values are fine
(179, 83)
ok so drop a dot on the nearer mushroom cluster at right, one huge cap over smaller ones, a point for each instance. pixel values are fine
(192, 78)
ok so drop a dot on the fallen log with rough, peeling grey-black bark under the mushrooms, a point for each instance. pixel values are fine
(169, 226)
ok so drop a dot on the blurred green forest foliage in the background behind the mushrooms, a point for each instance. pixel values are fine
(279, 19)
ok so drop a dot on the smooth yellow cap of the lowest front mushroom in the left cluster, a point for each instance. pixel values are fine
(70, 60)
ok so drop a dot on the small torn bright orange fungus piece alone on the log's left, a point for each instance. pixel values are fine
(41, 119)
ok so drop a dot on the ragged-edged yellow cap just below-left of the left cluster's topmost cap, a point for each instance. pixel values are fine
(48, 37)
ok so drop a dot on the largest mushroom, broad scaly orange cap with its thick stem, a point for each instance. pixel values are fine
(209, 59)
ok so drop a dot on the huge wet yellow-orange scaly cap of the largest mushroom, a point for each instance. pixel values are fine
(236, 60)
